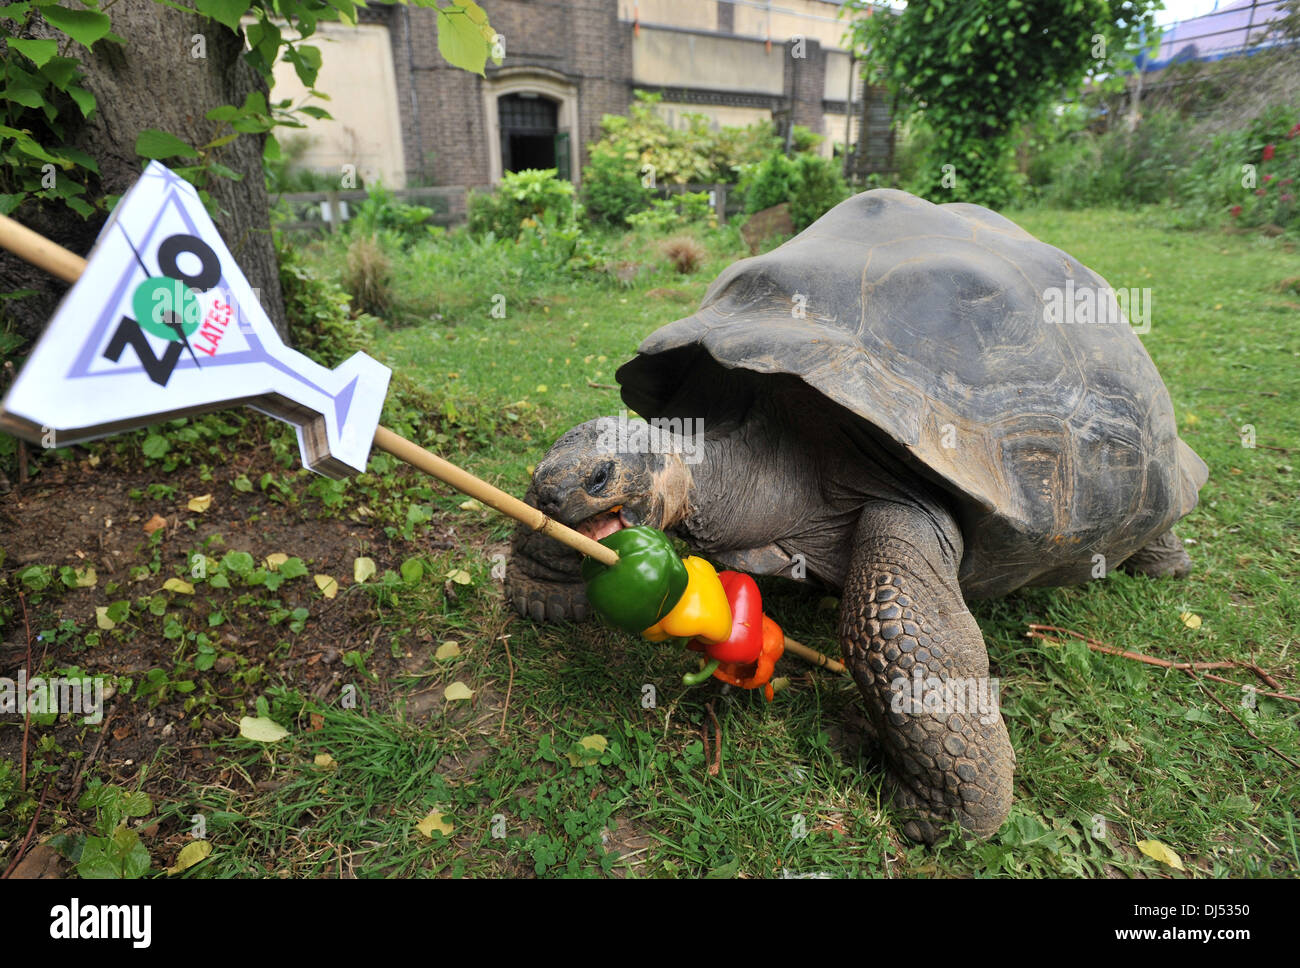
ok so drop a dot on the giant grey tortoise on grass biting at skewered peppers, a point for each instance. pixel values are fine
(894, 406)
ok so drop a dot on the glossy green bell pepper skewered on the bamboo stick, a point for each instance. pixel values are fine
(644, 587)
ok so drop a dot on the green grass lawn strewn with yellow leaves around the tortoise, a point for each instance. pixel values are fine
(1111, 752)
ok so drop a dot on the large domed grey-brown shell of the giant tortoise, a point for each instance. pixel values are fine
(941, 327)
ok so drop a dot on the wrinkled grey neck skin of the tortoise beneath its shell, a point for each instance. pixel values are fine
(788, 481)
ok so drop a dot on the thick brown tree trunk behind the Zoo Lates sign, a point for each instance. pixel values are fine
(155, 81)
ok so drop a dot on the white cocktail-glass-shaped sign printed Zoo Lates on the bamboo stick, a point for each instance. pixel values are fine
(162, 324)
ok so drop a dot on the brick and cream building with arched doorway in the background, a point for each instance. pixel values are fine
(409, 118)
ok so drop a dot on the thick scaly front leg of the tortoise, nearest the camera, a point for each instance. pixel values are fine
(920, 659)
